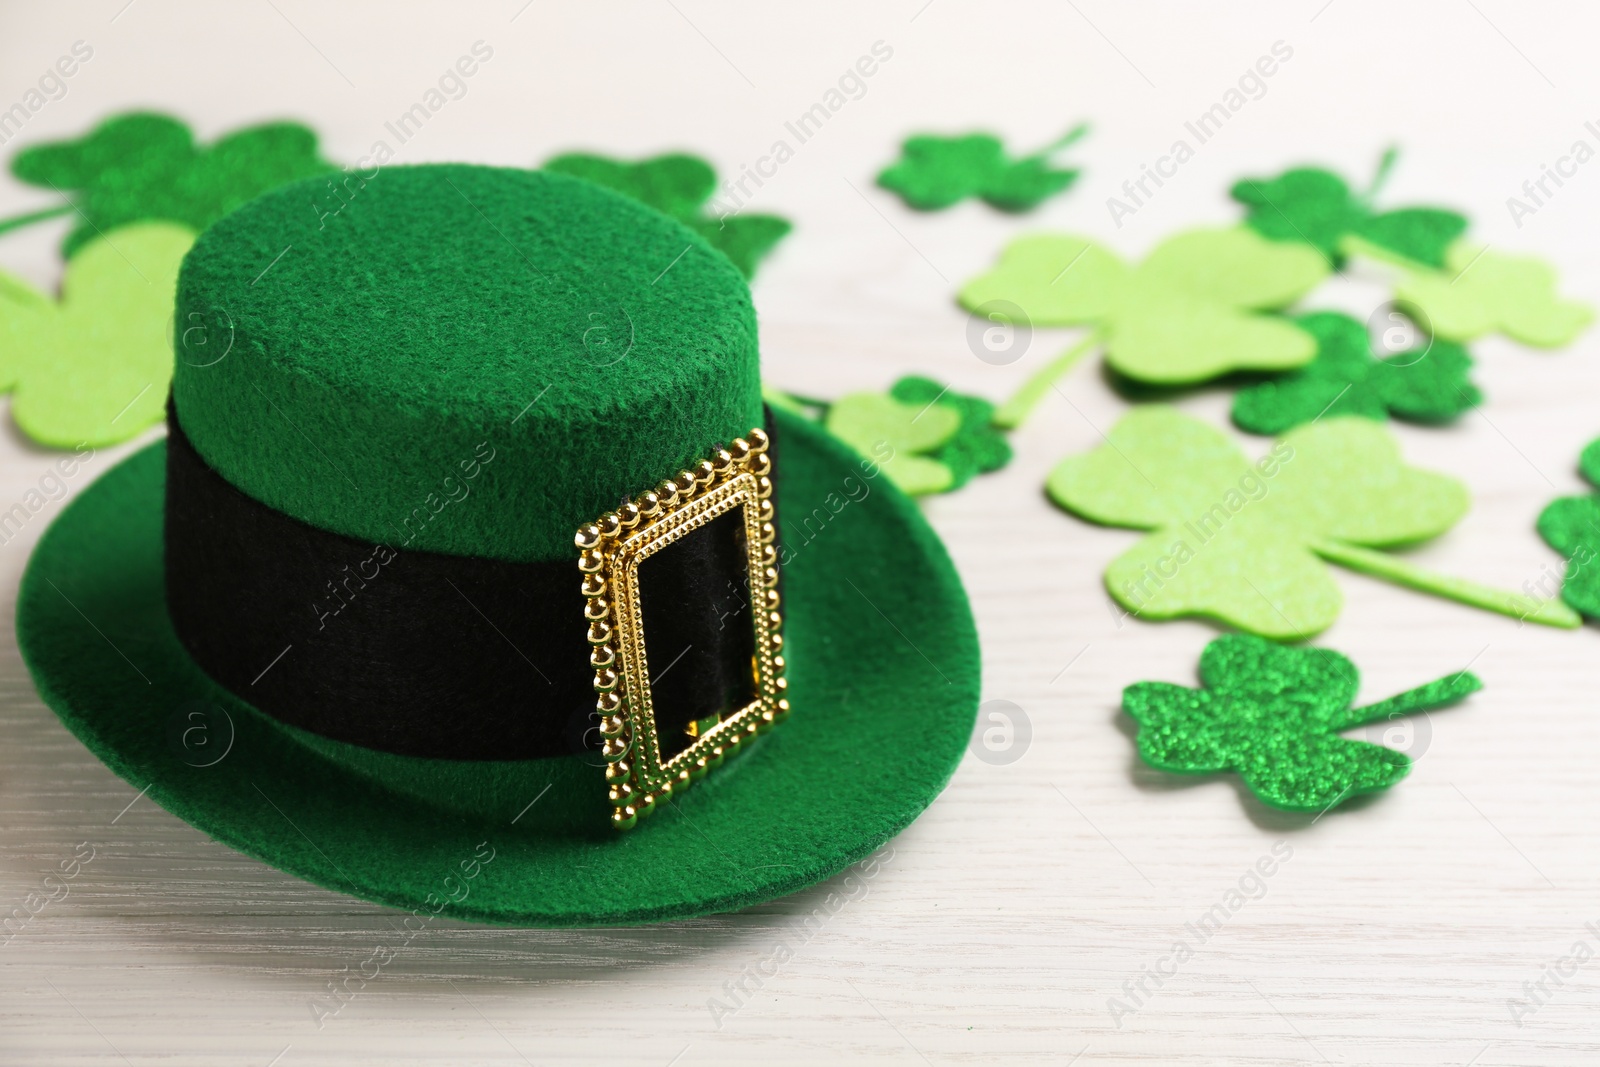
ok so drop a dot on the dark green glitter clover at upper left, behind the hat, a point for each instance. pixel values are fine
(142, 166)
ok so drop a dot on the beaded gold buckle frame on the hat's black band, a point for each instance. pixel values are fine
(610, 554)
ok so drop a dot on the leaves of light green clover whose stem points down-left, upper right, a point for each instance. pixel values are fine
(1186, 314)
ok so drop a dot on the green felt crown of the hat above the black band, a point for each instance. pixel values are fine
(594, 345)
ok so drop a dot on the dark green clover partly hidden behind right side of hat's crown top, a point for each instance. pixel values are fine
(679, 186)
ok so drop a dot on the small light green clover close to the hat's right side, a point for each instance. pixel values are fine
(900, 438)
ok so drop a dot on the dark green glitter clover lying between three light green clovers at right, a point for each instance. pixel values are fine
(1426, 385)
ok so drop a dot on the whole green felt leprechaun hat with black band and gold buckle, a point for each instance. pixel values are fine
(340, 618)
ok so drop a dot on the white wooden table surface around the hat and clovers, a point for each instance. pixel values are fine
(1031, 892)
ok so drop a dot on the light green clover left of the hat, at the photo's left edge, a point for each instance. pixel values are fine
(94, 369)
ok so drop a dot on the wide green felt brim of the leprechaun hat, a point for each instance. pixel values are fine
(884, 673)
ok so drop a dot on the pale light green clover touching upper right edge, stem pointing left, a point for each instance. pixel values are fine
(1481, 292)
